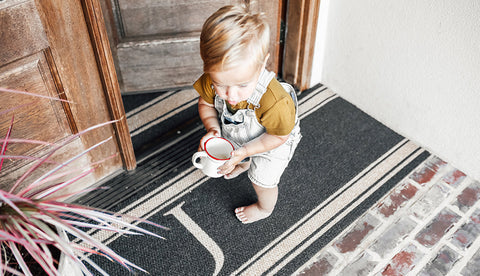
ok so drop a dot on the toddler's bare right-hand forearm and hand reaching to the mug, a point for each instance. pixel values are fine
(263, 143)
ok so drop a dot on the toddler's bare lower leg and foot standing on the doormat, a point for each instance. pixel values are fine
(267, 198)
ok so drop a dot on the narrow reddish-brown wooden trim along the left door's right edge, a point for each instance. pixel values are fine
(98, 34)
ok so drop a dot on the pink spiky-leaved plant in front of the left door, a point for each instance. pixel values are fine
(32, 230)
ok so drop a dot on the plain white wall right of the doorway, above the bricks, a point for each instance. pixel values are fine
(412, 65)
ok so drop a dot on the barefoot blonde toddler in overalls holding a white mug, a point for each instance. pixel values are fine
(241, 101)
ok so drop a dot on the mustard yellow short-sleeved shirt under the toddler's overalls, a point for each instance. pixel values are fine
(276, 112)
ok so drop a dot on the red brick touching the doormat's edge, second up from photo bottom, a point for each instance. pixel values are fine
(352, 239)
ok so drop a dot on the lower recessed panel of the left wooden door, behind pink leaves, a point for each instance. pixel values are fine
(32, 74)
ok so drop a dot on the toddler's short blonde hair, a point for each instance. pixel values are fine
(233, 35)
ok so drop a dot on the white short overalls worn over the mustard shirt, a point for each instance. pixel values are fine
(266, 168)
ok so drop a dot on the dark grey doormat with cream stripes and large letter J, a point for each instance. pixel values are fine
(344, 163)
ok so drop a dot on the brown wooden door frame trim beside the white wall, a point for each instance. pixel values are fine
(300, 41)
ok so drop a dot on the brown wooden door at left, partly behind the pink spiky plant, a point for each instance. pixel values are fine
(46, 49)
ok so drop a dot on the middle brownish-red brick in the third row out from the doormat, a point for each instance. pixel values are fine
(437, 228)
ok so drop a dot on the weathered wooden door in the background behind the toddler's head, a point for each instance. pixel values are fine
(155, 43)
